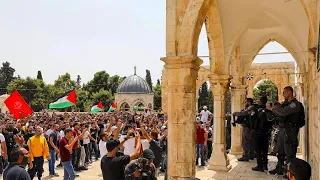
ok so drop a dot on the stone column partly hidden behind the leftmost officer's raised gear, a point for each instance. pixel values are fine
(238, 96)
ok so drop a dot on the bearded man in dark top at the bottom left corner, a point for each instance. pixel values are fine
(15, 170)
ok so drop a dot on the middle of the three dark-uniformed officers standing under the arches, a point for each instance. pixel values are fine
(261, 126)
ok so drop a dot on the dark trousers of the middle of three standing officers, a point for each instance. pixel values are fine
(262, 146)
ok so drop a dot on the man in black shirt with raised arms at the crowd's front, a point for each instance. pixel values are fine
(113, 167)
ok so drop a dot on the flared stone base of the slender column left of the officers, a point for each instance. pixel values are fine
(219, 160)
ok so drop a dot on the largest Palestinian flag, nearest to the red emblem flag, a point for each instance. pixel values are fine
(67, 100)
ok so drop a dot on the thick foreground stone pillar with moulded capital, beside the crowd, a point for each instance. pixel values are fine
(182, 73)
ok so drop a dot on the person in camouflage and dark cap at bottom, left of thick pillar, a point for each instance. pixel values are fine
(142, 168)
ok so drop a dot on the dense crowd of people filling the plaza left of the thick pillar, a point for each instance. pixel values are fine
(130, 145)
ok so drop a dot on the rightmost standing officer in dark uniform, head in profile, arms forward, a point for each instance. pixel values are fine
(290, 111)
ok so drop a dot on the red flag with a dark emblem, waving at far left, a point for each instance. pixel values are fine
(17, 105)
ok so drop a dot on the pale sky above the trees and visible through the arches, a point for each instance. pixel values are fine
(83, 37)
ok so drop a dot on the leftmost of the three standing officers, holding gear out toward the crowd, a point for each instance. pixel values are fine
(248, 151)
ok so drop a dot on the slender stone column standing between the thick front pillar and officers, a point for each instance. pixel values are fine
(219, 86)
